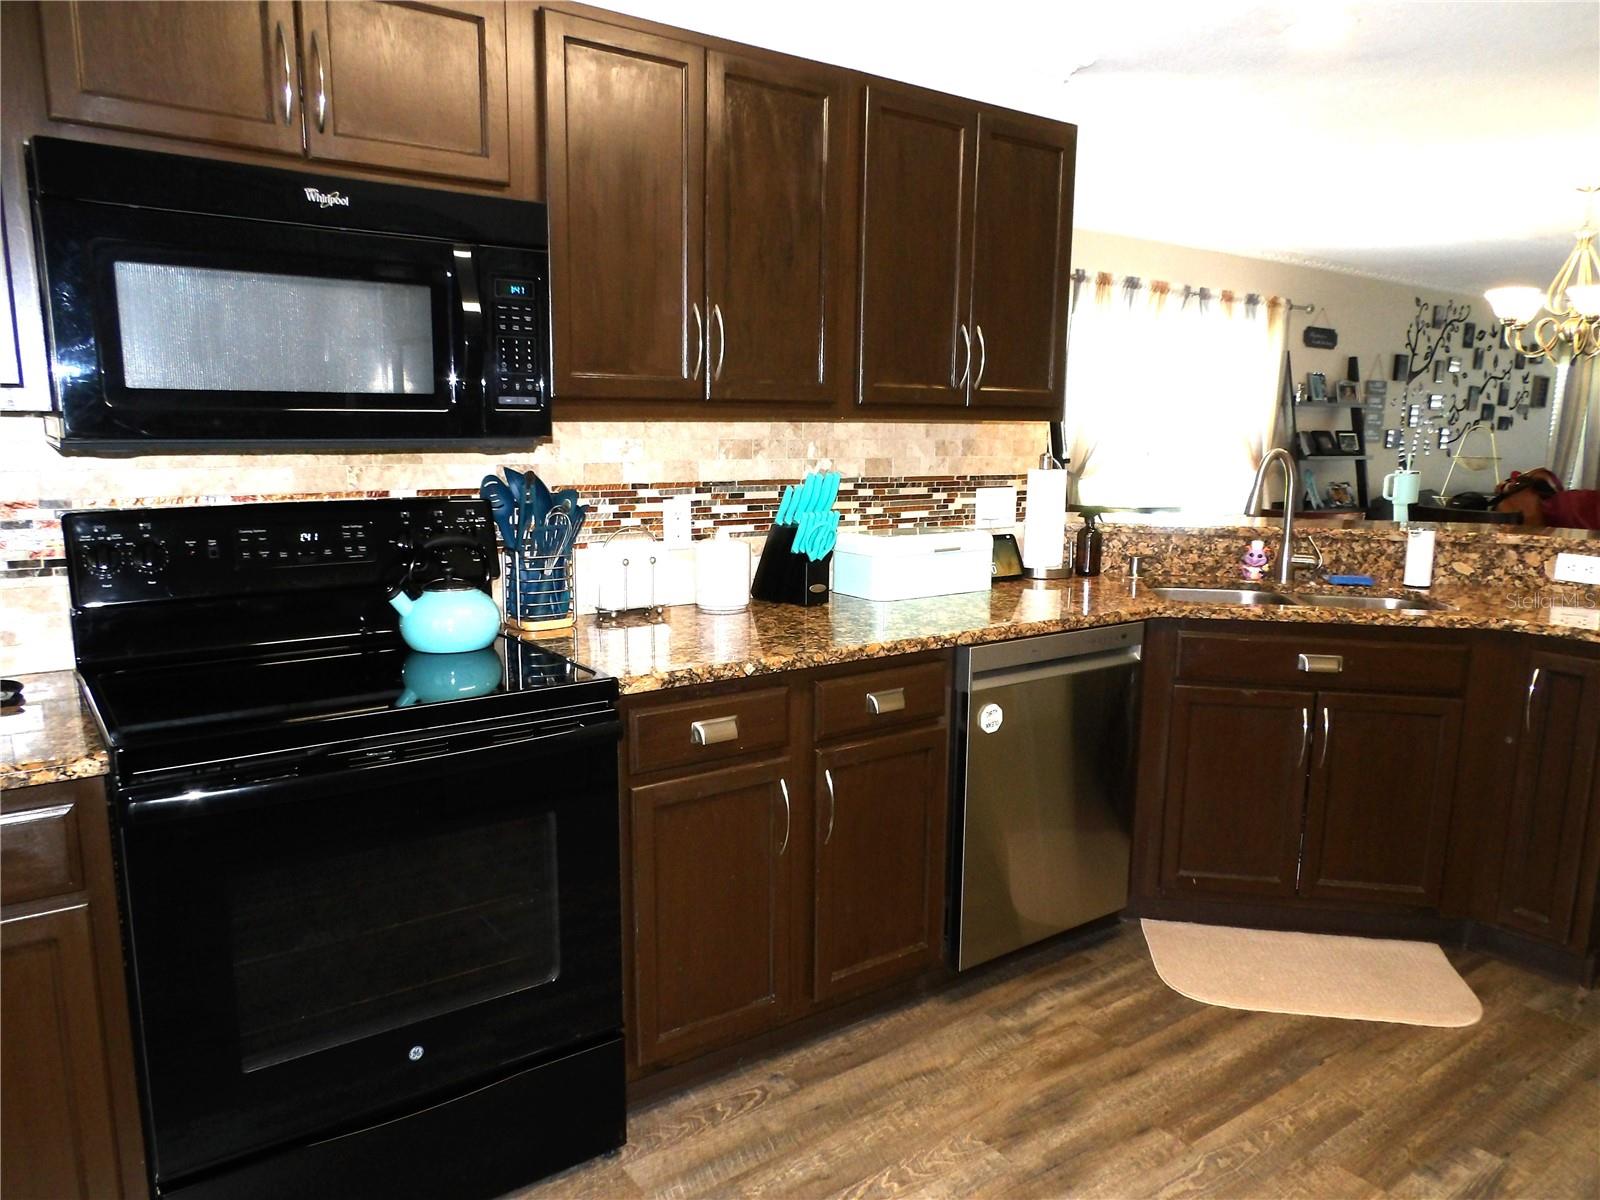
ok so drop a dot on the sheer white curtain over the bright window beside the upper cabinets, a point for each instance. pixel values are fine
(1172, 394)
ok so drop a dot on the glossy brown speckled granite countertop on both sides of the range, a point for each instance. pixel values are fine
(54, 737)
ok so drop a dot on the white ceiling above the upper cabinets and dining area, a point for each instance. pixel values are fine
(1430, 143)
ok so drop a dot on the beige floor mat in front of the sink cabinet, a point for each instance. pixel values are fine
(1313, 974)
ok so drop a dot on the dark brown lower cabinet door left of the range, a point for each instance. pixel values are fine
(58, 1127)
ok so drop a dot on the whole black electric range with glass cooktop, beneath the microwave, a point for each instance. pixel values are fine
(370, 897)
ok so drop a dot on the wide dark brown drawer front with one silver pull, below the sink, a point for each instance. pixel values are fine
(1321, 662)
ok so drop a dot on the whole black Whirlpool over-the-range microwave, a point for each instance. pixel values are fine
(194, 305)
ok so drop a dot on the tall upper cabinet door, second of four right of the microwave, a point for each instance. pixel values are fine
(777, 242)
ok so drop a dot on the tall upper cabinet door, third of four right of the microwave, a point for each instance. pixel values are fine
(916, 250)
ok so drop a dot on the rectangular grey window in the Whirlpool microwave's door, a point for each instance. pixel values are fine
(204, 330)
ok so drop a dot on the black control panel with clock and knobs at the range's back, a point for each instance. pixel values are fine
(119, 556)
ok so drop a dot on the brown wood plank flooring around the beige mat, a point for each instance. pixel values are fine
(1076, 1073)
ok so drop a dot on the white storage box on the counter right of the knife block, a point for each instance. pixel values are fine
(913, 566)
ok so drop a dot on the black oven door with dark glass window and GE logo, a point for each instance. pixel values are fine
(311, 958)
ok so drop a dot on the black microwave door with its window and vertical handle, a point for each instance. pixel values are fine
(174, 327)
